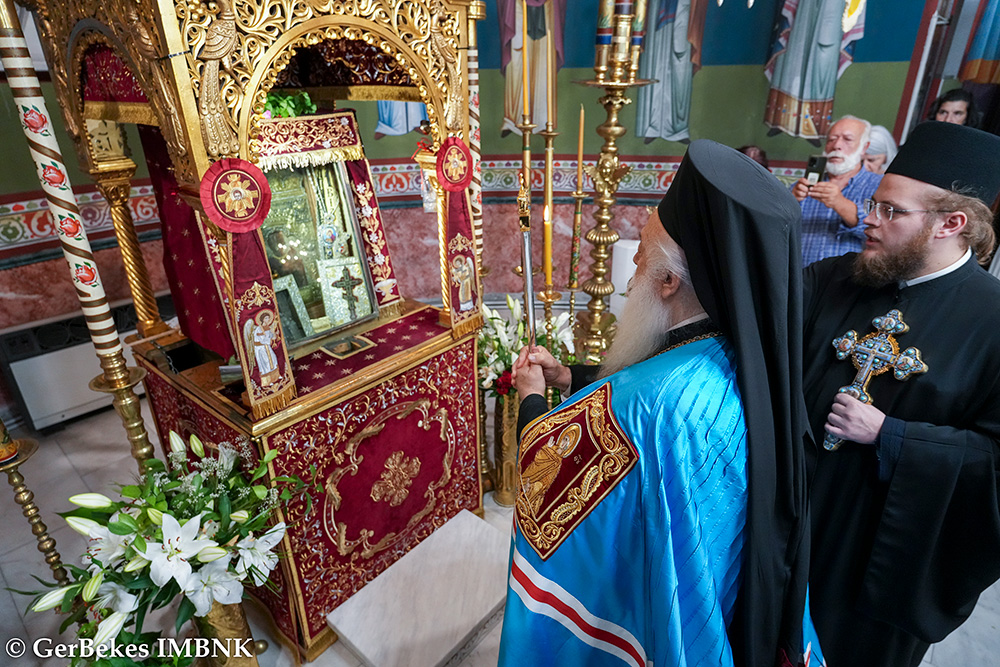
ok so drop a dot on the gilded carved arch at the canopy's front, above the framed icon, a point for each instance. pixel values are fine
(336, 27)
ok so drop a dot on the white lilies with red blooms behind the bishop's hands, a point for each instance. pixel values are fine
(501, 339)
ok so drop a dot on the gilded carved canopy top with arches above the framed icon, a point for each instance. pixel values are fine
(205, 69)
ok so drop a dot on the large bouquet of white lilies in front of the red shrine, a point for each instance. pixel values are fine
(197, 527)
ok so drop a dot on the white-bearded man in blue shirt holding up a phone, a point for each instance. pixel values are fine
(832, 210)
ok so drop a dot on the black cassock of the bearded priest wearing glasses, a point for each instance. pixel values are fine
(906, 534)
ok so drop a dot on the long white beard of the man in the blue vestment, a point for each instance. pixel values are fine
(642, 327)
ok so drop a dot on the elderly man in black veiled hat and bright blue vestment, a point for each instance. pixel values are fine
(661, 517)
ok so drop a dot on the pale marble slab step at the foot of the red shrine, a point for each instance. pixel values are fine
(432, 604)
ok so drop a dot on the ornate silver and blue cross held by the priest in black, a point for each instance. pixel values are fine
(876, 353)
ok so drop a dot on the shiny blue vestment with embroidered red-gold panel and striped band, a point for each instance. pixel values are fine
(629, 523)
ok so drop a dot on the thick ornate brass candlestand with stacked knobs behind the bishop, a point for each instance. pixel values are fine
(593, 326)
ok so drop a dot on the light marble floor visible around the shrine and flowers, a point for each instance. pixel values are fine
(91, 453)
